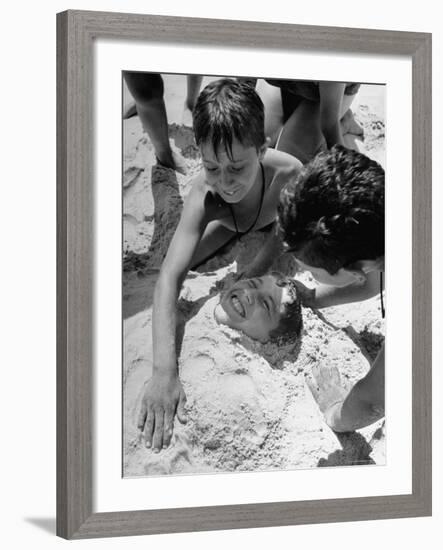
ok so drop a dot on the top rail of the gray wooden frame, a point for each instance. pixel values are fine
(245, 33)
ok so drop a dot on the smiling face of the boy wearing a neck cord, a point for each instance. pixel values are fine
(232, 176)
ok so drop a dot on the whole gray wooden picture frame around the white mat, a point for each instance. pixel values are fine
(76, 32)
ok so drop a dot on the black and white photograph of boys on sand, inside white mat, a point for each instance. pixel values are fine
(253, 297)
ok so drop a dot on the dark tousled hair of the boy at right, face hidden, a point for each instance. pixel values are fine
(332, 214)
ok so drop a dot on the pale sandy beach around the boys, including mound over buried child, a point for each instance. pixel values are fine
(249, 406)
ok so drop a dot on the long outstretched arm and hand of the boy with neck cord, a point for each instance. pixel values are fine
(164, 395)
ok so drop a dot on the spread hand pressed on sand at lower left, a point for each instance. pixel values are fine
(163, 398)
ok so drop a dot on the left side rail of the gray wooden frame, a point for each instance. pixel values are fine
(74, 291)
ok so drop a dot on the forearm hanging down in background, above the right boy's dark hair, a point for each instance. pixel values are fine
(331, 96)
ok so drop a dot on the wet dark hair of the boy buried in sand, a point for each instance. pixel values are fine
(291, 320)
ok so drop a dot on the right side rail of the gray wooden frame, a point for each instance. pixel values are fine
(422, 272)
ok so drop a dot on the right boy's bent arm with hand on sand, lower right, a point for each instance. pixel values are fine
(361, 406)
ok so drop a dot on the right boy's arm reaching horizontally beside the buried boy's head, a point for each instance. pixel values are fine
(327, 296)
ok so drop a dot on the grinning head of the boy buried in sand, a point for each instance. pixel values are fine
(263, 308)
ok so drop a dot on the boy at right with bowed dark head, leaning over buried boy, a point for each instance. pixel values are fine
(332, 219)
